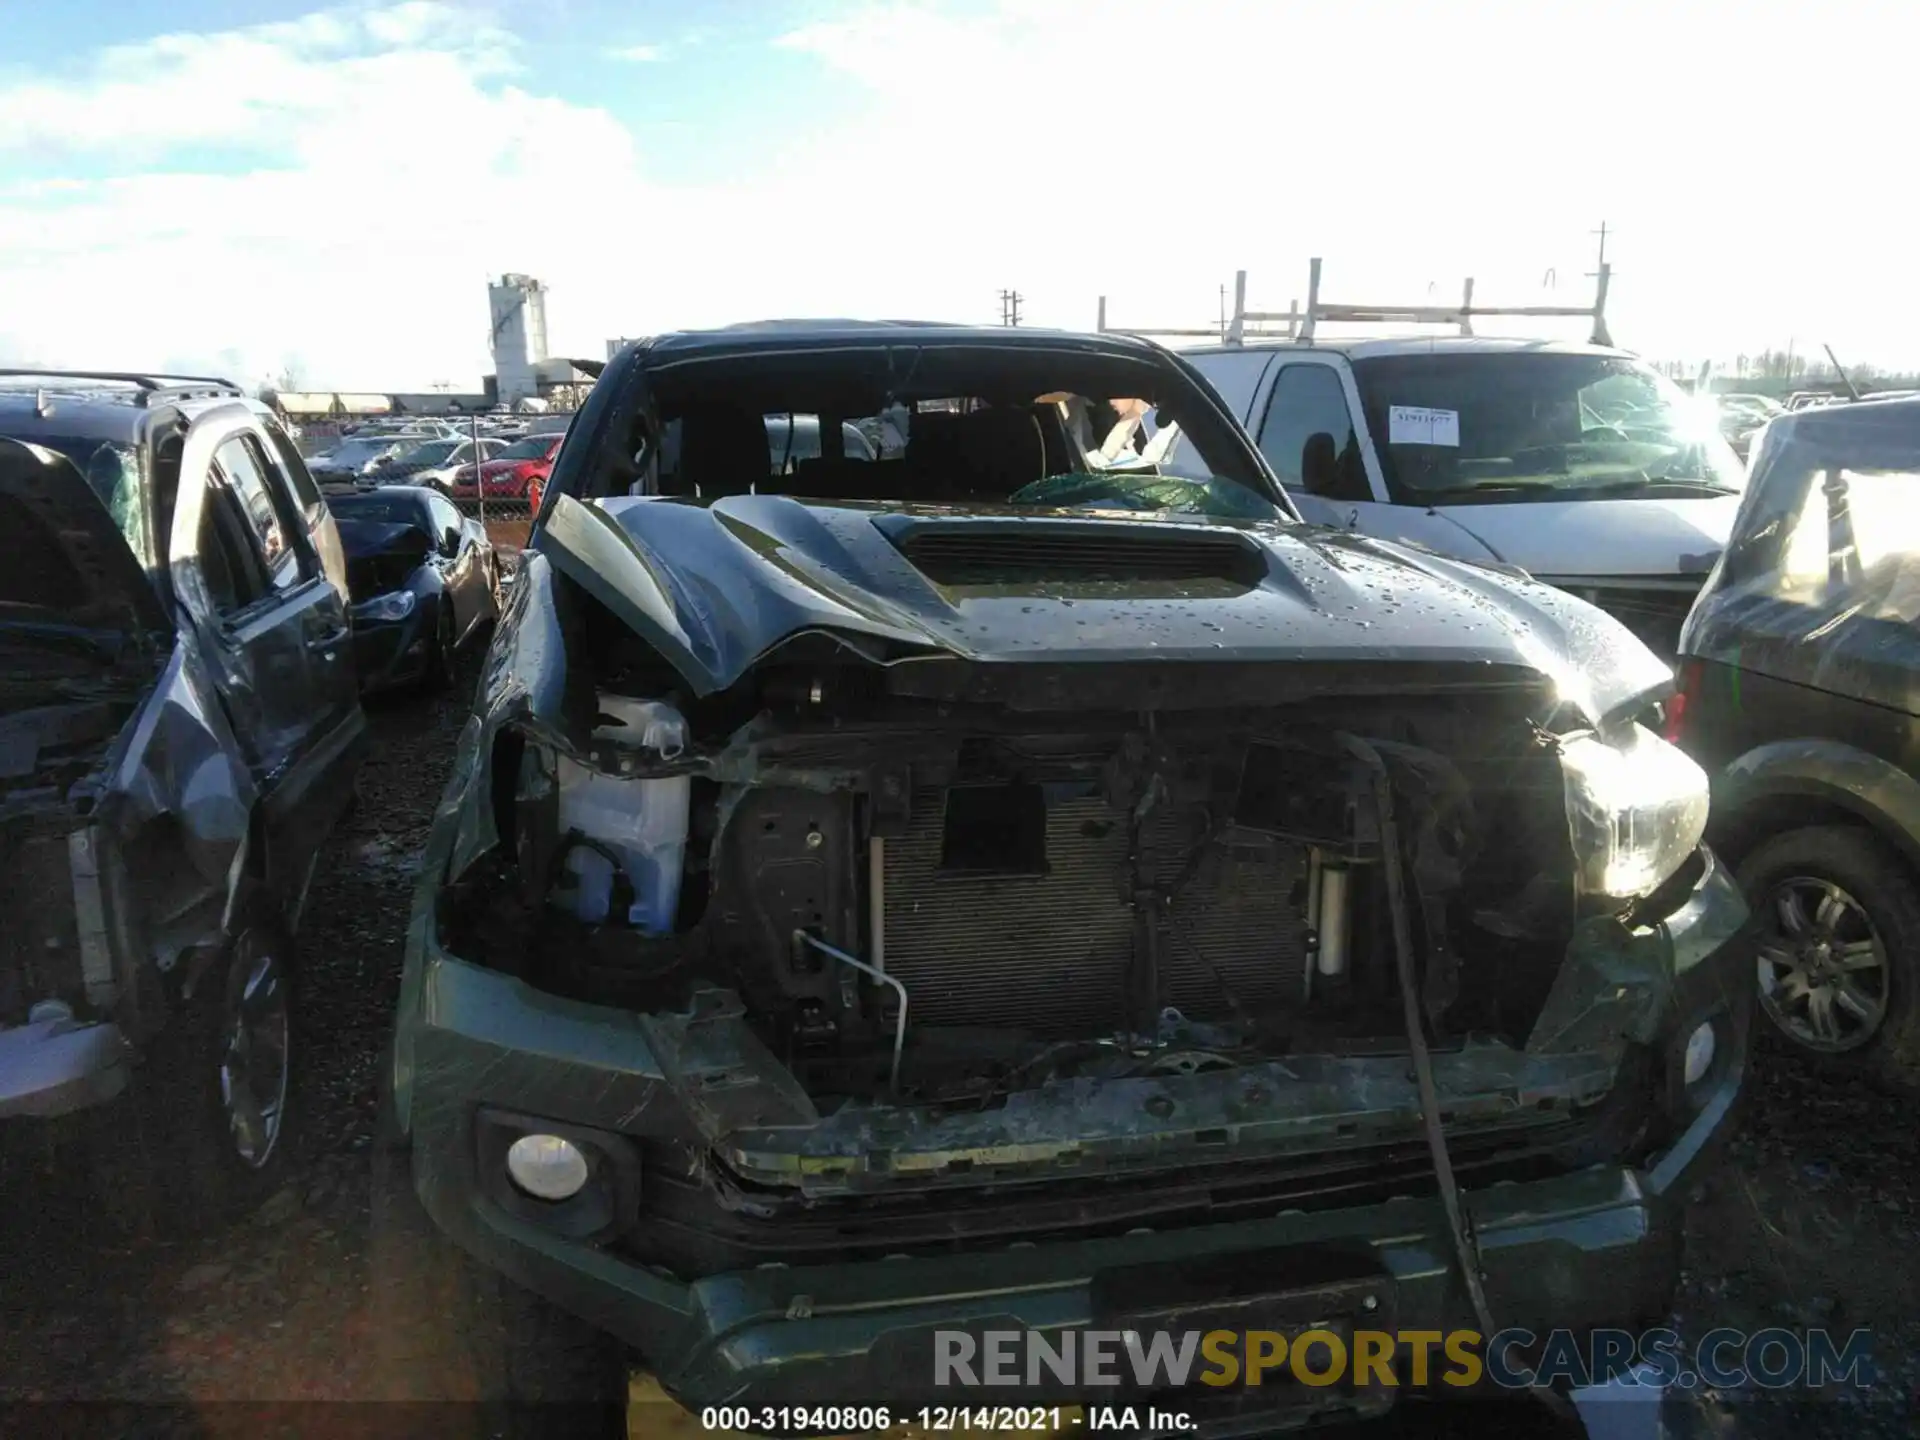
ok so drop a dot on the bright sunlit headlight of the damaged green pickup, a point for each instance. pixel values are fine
(1637, 807)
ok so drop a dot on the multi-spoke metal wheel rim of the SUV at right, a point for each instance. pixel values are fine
(1823, 967)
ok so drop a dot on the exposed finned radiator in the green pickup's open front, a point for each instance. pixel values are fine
(1051, 953)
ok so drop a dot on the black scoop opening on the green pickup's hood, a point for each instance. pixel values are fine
(1001, 558)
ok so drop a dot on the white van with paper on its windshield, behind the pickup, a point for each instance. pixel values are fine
(1572, 462)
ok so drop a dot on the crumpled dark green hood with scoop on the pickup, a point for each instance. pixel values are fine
(717, 587)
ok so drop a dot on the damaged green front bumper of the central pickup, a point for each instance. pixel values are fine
(1585, 1249)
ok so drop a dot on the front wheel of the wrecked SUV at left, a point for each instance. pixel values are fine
(208, 1157)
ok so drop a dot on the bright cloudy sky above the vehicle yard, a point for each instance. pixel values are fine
(254, 187)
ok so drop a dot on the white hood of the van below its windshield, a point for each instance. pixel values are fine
(1654, 539)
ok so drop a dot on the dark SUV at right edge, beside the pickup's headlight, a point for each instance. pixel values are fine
(1802, 698)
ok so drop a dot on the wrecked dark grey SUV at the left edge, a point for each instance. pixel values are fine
(180, 732)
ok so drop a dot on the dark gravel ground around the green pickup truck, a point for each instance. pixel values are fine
(337, 1293)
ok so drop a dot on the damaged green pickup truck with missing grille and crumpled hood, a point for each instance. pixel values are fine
(946, 888)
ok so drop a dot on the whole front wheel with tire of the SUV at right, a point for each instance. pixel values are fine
(1858, 944)
